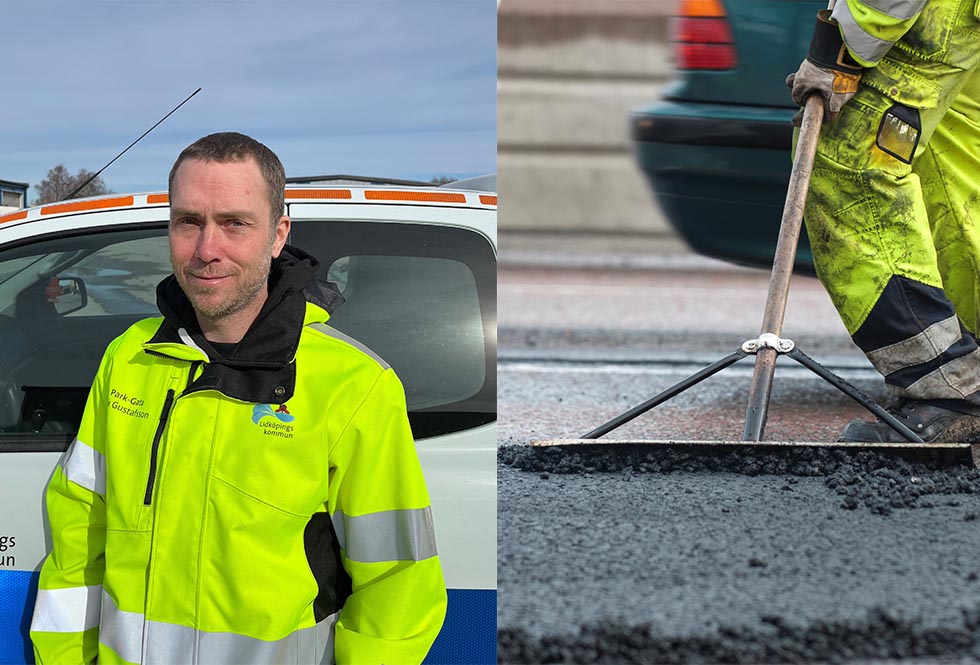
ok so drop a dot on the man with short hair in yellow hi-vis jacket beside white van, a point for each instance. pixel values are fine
(244, 486)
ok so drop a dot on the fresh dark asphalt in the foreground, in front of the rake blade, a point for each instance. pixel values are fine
(680, 556)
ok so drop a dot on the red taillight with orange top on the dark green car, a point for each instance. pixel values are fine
(702, 37)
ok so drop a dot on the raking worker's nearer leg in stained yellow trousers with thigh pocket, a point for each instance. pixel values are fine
(867, 218)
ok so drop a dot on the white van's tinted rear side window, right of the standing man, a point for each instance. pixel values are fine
(424, 298)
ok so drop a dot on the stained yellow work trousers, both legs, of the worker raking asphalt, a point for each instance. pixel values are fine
(896, 244)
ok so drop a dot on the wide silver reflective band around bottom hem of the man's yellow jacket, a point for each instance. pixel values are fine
(168, 643)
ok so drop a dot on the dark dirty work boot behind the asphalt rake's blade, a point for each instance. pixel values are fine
(947, 421)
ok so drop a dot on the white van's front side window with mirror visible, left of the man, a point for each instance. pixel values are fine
(61, 302)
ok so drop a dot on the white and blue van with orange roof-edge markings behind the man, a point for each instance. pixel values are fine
(417, 267)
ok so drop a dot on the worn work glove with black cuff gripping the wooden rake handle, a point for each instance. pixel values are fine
(828, 70)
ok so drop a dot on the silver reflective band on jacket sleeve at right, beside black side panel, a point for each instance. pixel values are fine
(391, 535)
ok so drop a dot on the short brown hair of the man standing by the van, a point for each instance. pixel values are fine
(224, 147)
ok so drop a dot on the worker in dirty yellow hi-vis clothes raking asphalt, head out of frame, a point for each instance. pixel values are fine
(893, 214)
